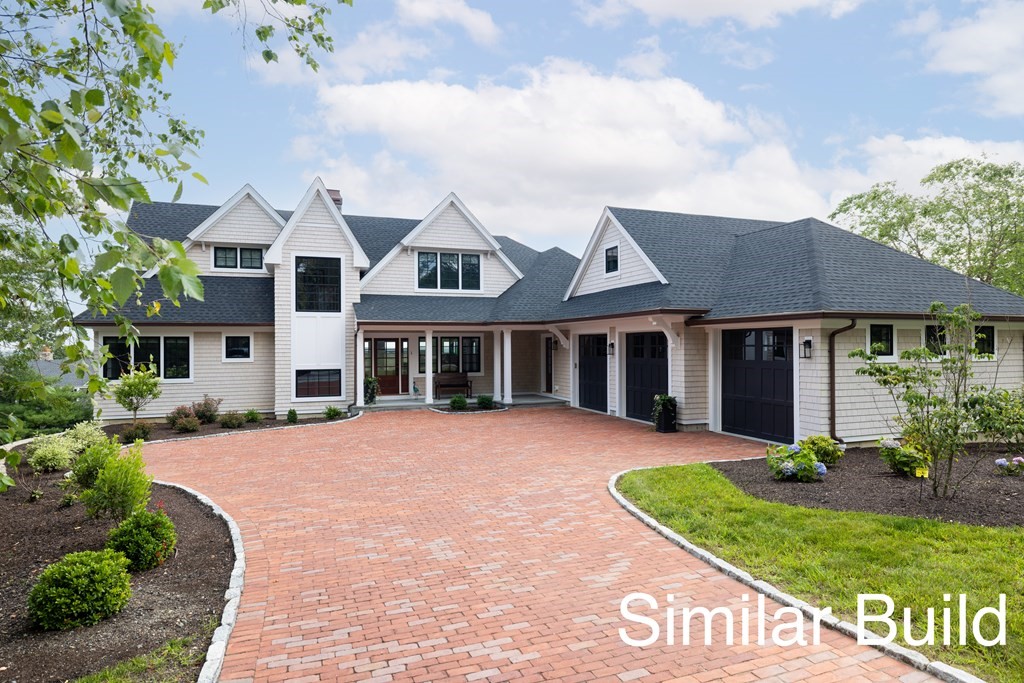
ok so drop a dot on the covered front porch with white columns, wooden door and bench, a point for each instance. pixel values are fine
(422, 366)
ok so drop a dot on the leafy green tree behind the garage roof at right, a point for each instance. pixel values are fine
(970, 219)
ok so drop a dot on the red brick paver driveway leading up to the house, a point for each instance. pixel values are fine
(418, 546)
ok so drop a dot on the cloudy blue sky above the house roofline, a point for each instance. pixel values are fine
(540, 114)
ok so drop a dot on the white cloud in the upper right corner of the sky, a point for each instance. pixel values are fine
(991, 48)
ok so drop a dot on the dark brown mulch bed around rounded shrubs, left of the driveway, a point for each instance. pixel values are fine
(176, 601)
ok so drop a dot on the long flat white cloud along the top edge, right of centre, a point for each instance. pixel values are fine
(753, 14)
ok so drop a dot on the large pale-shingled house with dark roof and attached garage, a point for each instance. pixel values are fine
(748, 323)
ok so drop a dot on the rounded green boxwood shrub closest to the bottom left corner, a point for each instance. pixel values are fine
(80, 590)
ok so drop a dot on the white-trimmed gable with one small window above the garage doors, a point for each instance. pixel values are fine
(634, 267)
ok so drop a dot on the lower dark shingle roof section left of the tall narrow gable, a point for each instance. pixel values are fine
(227, 302)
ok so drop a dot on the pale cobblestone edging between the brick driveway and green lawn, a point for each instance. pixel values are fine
(906, 655)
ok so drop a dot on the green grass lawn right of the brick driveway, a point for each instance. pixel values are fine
(827, 558)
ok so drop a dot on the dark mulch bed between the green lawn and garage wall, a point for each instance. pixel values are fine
(862, 482)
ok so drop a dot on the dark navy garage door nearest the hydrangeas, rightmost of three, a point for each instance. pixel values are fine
(757, 383)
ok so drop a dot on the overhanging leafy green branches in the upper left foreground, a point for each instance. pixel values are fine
(86, 126)
